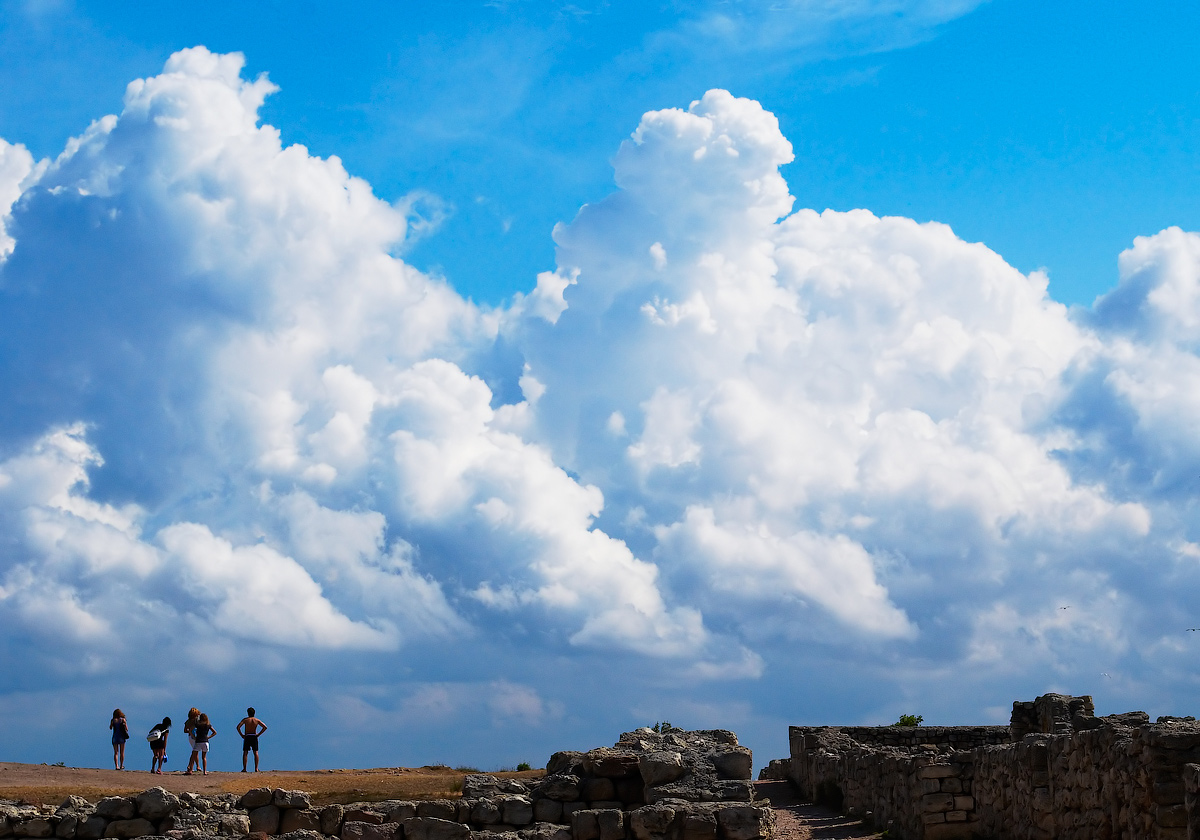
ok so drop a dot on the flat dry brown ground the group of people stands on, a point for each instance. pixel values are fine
(46, 784)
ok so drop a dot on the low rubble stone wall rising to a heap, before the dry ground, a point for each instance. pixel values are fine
(670, 785)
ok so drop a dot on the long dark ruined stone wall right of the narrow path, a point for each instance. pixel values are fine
(1057, 772)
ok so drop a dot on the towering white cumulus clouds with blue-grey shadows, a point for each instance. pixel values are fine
(717, 430)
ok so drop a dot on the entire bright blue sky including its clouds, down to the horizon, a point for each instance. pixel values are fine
(737, 364)
